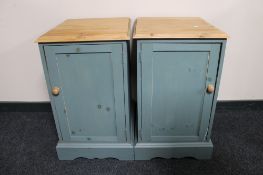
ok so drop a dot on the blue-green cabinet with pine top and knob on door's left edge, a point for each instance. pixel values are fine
(86, 68)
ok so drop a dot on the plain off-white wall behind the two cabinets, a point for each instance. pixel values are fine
(22, 21)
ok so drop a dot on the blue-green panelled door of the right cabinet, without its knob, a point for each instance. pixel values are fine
(175, 106)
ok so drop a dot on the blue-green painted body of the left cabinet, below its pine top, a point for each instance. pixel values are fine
(93, 104)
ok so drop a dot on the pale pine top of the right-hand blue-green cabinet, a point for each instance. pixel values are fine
(175, 27)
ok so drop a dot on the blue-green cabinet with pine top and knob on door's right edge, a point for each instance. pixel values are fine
(179, 64)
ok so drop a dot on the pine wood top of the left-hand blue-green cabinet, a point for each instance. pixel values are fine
(100, 29)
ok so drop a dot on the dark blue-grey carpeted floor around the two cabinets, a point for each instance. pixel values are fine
(28, 140)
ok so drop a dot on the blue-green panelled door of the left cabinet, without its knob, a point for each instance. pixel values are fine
(90, 106)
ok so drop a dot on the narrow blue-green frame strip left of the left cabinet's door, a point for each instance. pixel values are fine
(44, 64)
